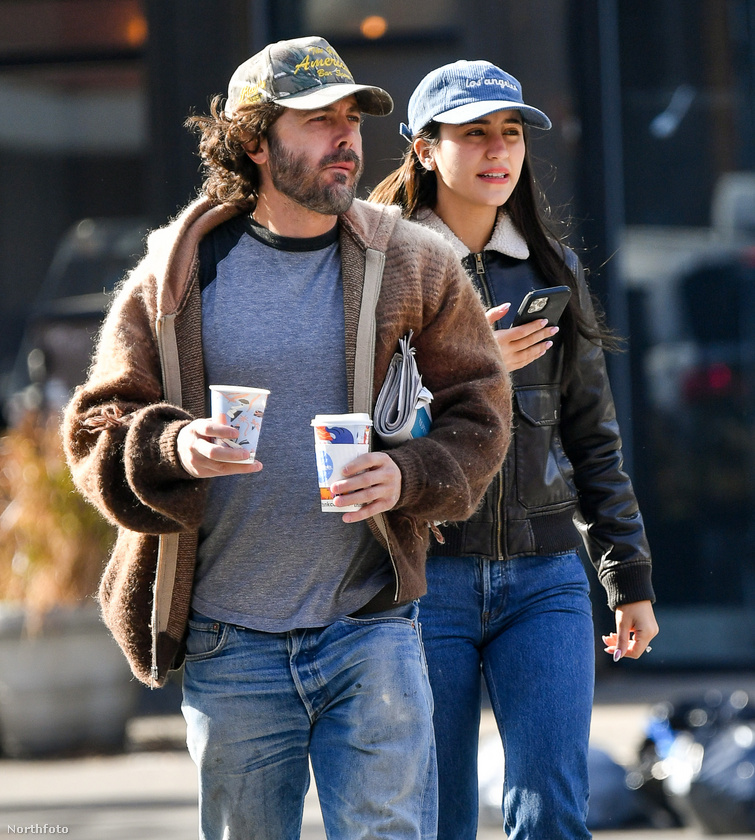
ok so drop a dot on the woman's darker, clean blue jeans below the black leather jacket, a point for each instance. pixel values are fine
(527, 623)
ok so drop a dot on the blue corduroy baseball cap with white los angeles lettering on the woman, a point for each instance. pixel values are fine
(464, 91)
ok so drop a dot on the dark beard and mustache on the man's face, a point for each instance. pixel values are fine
(296, 178)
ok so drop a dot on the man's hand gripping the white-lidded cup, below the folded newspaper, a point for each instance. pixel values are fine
(372, 480)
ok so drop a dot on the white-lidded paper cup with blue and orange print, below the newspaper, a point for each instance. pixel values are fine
(339, 439)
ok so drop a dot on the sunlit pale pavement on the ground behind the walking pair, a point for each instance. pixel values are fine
(150, 790)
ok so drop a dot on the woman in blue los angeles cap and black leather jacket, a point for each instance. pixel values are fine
(507, 591)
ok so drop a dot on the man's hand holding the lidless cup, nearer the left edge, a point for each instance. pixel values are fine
(202, 457)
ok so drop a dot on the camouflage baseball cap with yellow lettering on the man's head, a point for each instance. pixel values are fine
(304, 73)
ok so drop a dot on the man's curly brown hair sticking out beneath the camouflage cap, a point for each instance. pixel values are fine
(230, 175)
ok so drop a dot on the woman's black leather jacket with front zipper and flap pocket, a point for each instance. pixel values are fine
(562, 482)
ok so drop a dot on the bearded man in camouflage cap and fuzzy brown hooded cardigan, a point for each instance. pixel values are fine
(298, 629)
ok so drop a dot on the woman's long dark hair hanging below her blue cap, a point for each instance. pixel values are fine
(413, 187)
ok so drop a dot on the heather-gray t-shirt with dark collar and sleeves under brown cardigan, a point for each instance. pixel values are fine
(272, 317)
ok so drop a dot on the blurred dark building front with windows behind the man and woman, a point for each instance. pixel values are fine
(652, 153)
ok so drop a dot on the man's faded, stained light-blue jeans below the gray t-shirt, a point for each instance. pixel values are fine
(353, 697)
